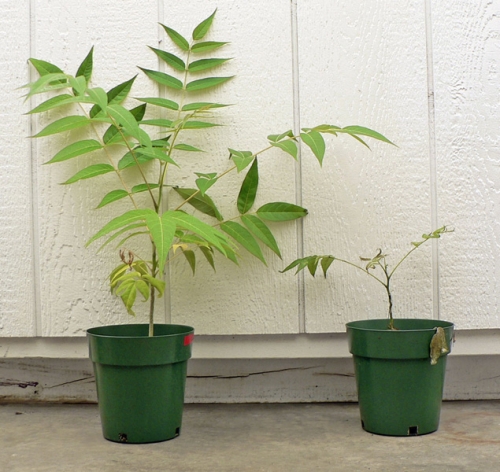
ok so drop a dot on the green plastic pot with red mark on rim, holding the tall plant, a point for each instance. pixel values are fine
(140, 380)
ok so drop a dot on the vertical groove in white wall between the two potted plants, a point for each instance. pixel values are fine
(301, 298)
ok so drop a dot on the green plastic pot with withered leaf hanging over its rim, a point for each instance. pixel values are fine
(399, 391)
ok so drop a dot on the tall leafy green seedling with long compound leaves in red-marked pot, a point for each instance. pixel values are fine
(151, 136)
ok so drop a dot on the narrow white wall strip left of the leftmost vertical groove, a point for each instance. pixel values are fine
(17, 282)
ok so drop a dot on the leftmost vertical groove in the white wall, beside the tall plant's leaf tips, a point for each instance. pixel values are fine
(35, 226)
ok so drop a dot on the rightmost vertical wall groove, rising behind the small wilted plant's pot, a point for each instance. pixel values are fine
(432, 157)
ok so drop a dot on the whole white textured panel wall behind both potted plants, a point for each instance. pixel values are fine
(377, 63)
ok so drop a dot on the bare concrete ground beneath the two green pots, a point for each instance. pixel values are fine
(249, 437)
